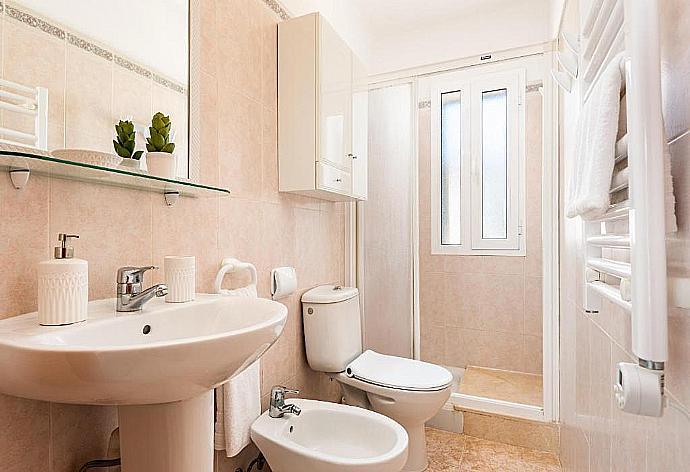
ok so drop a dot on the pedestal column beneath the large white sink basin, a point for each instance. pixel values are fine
(169, 437)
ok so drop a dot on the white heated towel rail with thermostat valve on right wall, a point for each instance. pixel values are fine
(625, 260)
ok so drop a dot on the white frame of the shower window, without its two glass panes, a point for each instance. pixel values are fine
(471, 85)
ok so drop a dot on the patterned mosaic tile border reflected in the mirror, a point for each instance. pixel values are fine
(81, 43)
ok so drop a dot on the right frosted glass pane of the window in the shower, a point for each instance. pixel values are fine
(495, 164)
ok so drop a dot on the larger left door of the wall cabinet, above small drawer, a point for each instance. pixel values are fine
(335, 89)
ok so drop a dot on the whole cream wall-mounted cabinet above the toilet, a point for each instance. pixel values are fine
(322, 112)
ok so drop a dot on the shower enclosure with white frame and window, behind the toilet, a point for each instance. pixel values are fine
(455, 244)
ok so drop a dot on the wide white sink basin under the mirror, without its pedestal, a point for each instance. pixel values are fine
(108, 360)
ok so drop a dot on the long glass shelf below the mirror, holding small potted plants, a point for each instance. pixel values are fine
(42, 163)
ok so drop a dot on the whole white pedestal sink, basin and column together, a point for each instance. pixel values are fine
(158, 366)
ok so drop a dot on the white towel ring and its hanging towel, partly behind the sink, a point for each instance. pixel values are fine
(238, 401)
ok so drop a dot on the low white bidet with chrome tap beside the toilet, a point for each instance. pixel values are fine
(329, 437)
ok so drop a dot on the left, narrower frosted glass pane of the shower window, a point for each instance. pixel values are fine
(451, 225)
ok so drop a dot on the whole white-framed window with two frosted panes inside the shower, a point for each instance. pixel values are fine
(477, 164)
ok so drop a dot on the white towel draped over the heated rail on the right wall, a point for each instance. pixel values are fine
(595, 146)
